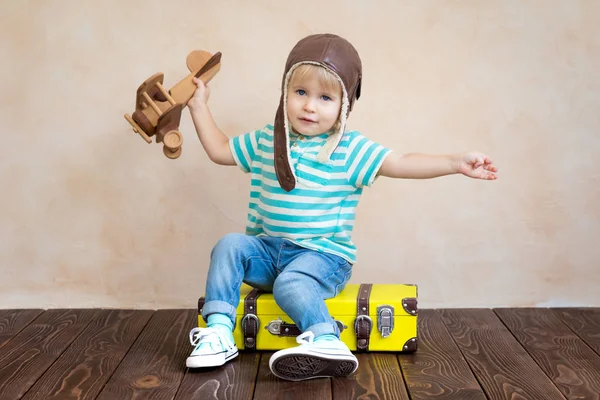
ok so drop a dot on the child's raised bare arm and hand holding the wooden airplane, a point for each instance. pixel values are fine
(214, 141)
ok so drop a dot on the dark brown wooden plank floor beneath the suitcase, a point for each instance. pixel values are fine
(538, 354)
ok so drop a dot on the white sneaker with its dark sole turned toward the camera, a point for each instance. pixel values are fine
(321, 359)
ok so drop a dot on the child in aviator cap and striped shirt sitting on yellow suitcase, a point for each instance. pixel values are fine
(307, 176)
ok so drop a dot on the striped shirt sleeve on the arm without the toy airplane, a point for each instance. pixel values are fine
(364, 160)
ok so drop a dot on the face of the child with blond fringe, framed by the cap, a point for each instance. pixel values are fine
(312, 108)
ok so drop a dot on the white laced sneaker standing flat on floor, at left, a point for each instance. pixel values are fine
(213, 348)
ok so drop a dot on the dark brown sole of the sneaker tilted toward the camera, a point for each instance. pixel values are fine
(295, 367)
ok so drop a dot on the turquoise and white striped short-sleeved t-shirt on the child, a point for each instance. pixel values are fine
(319, 213)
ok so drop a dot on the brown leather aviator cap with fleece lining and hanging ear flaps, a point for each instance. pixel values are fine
(340, 57)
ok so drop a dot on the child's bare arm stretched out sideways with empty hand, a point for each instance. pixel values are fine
(423, 166)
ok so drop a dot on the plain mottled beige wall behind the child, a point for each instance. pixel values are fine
(93, 216)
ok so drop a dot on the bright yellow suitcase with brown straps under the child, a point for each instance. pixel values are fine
(371, 317)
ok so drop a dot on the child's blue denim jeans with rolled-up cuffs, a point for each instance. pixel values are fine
(299, 278)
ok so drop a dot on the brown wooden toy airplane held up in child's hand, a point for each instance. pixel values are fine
(158, 111)
